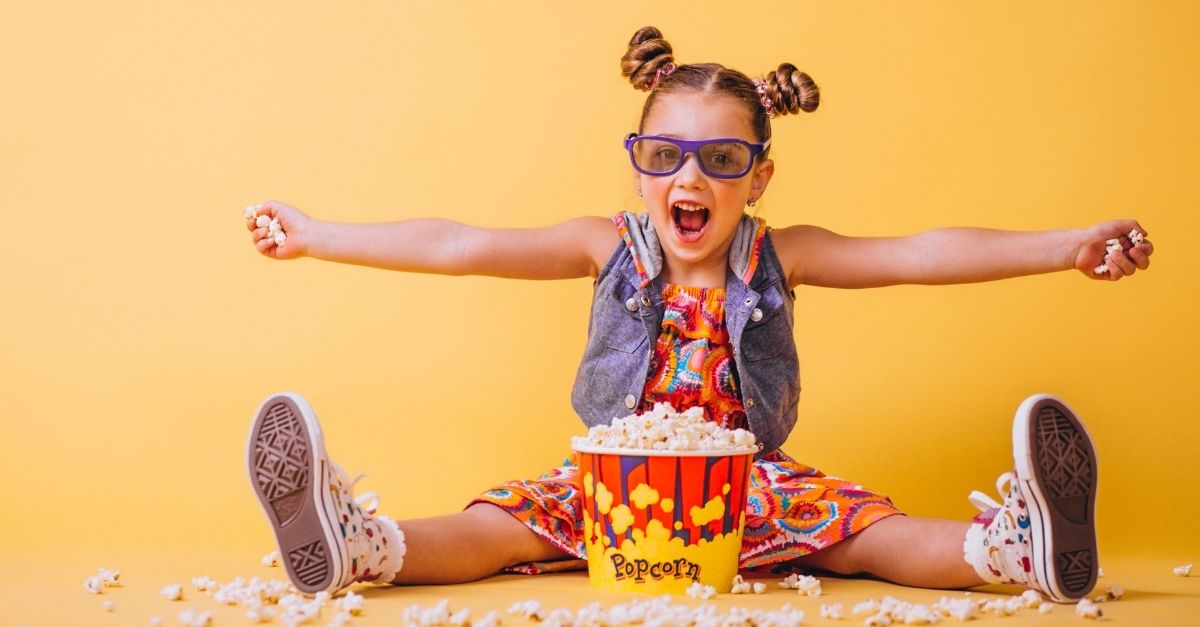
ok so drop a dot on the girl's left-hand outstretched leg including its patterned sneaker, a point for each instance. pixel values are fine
(329, 539)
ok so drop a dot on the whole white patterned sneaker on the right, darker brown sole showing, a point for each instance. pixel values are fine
(1045, 535)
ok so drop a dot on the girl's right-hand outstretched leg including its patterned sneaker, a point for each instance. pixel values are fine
(1042, 536)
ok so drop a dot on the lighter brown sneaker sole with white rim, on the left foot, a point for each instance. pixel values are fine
(286, 463)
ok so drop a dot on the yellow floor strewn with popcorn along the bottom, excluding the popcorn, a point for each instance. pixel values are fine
(46, 589)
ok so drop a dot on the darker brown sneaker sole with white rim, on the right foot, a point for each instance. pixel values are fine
(1057, 474)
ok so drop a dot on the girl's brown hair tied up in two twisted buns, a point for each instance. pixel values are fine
(647, 64)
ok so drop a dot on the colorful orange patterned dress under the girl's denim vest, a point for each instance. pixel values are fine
(793, 510)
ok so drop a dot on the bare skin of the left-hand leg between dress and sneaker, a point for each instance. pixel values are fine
(469, 546)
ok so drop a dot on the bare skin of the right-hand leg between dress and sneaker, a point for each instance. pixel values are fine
(913, 552)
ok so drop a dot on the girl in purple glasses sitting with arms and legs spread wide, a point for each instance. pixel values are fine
(694, 306)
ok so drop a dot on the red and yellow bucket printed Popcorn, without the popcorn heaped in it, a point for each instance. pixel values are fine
(659, 521)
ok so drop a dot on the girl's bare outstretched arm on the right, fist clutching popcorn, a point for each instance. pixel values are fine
(815, 256)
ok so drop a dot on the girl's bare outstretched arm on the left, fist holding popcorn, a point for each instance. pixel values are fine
(568, 250)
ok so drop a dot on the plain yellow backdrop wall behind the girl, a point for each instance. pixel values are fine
(141, 330)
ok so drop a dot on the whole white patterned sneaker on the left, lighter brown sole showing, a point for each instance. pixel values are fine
(327, 539)
